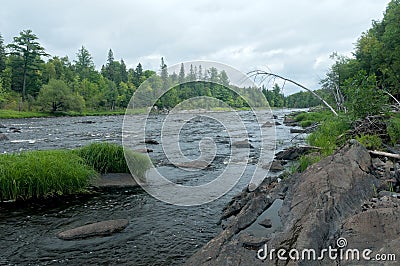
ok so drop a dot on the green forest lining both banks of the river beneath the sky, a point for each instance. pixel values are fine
(30, 79)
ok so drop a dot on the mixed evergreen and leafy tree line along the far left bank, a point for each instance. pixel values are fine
(28, 82)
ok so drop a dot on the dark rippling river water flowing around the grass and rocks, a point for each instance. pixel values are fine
(158, 233)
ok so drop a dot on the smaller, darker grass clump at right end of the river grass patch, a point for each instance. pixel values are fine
(110, 158)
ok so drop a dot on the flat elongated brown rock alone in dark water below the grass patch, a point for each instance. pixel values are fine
(103, 228)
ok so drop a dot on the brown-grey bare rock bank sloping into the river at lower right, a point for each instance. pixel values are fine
(341, 197)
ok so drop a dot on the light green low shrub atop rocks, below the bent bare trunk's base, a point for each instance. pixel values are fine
(327, 135)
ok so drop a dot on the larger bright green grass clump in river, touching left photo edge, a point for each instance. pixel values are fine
(41, 174)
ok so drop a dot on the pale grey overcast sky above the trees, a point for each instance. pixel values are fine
(288, 37)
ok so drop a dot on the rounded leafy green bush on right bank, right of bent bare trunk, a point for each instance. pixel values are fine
(363, 98)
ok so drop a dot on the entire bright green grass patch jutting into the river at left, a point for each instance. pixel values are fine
(43, 174)
